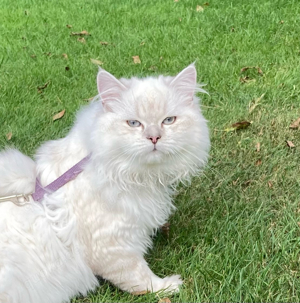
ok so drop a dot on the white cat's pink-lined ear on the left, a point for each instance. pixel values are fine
(110, 88)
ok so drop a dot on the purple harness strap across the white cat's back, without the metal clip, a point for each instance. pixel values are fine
(69, 175)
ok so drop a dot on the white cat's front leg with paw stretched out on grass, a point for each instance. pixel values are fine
(131, 273)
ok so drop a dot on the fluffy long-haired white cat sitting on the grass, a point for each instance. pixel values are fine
(143, 137)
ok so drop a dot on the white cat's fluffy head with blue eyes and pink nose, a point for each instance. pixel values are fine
(152, 125)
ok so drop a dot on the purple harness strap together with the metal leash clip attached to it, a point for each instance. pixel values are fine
(40, 191)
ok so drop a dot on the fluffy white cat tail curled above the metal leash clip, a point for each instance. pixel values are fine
(17, 173)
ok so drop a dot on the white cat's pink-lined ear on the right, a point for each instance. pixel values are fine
(185, 83)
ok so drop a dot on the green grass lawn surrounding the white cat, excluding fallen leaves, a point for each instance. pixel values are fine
(235, 236)
